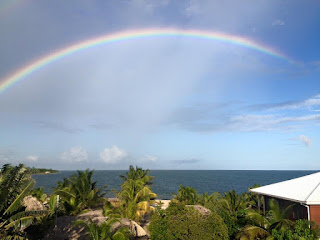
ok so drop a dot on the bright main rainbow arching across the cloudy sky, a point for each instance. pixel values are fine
(30, 68)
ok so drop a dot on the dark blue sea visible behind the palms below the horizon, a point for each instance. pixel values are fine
(168, 181)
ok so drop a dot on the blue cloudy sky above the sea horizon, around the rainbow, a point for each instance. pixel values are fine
(161, 102)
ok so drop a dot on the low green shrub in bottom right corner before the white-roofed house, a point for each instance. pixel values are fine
(301, 231)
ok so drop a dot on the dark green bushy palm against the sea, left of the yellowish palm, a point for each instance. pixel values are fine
(79, 192)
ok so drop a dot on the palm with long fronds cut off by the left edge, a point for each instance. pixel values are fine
(15, 184)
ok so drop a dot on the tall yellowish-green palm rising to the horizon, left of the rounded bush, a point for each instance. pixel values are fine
(136, 195)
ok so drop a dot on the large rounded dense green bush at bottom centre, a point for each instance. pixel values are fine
(179, 222)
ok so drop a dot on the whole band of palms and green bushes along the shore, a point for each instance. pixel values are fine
(227, 216)
